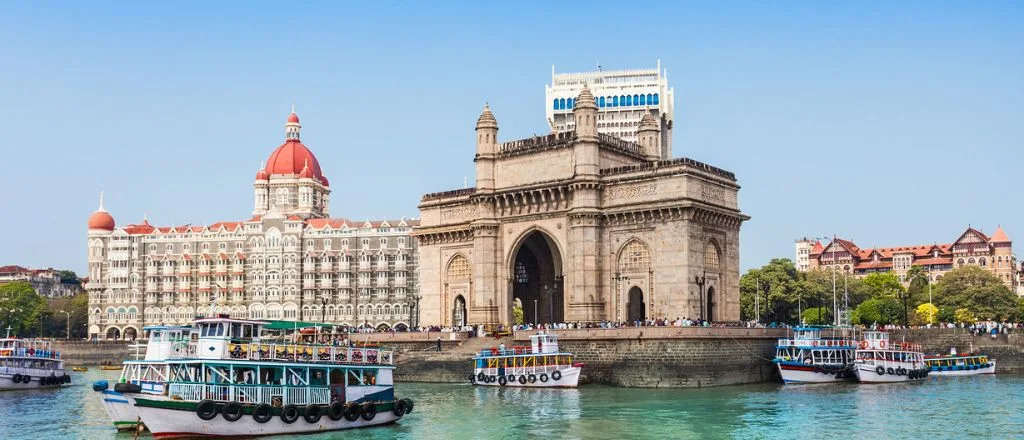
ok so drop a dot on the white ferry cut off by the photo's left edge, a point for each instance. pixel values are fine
(29, 365)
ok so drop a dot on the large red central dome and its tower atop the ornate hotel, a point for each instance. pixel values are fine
(292, 184)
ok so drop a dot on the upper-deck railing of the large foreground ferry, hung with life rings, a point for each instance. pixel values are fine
(311, 354)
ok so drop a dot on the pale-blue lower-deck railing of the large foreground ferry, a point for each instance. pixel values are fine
(271, 394)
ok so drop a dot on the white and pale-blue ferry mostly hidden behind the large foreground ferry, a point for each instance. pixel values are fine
(147, 376)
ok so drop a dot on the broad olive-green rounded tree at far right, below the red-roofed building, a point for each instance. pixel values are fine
(977, 291)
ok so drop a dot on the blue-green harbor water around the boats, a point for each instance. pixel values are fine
(942, 409)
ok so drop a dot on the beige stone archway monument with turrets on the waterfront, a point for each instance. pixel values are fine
(581, 227)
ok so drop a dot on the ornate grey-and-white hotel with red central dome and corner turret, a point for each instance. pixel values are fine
(290, 261)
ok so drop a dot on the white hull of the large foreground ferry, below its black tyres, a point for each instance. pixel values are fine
(179, 423)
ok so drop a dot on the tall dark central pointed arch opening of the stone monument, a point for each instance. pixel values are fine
(537, 280)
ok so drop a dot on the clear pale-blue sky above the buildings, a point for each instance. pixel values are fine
(888, 124)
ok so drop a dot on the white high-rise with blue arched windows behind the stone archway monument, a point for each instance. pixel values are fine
(623, 99)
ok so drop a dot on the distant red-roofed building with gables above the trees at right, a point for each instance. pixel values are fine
(972, 248)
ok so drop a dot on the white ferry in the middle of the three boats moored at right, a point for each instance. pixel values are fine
(880, 361)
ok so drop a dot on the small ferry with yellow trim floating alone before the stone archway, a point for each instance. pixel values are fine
(541, 366)
